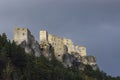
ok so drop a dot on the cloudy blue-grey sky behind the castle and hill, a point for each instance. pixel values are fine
(92, 23)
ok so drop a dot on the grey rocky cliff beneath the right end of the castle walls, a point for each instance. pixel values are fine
(79, 62)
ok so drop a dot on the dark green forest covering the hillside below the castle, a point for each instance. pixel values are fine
(15, 64)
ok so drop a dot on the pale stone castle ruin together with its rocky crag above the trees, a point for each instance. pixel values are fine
(64, 49)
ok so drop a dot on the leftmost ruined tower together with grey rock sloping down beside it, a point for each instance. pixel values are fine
(24, 38)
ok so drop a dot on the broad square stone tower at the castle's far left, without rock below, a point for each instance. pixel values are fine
(20, 35)
